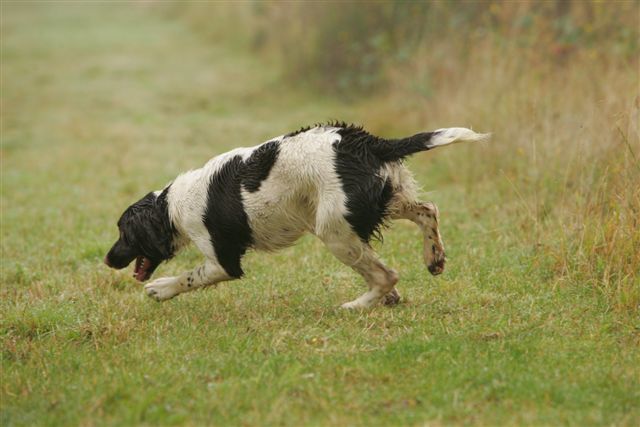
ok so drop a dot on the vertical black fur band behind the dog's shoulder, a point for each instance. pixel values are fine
(225, 217)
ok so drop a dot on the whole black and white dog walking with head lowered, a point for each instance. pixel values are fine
(335, 181)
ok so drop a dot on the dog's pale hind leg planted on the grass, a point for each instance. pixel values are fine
(349, 249)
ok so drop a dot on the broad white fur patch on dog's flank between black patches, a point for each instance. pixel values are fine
(302, 193)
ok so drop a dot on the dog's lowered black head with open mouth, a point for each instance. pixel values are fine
(146, 235)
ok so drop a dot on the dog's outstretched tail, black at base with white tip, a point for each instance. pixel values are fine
(397, 149)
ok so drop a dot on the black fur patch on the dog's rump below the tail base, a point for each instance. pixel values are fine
(368, 195)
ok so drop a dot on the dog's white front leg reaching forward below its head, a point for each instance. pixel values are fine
(165, 288)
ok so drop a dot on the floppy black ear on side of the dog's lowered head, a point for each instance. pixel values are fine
(146, 226)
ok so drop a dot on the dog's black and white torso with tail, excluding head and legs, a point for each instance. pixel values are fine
(305, 181)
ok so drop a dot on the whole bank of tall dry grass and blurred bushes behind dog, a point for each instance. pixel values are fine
(557, 82)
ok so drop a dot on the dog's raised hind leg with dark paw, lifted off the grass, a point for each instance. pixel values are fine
(426, 216)
